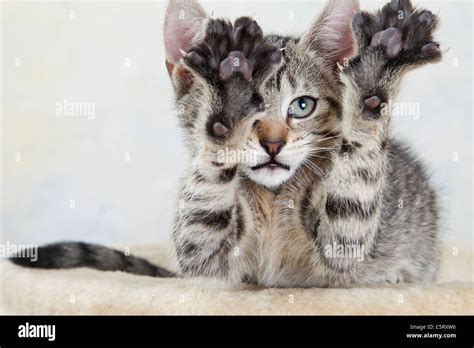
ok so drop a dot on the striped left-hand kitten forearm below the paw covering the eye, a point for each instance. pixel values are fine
(210, 219)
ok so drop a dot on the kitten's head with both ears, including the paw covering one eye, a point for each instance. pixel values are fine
(294, 108)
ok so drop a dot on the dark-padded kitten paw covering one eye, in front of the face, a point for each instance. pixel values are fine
(233, 59)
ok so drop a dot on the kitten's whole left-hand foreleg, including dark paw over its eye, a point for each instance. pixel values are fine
(233, 60)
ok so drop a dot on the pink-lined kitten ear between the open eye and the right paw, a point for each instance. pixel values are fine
(331, 34)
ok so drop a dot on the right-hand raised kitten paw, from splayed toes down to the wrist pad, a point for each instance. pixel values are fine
(396, 39)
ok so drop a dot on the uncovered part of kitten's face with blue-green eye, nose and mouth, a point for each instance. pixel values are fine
(299, 122)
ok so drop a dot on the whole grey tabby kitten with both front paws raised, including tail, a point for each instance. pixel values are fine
(322, 194)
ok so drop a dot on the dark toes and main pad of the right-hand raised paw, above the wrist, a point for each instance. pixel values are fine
(400, 31)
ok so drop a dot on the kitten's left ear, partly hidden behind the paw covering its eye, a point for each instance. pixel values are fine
(184, 21)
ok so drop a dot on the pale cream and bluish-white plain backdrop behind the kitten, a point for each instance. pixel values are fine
(111, 54)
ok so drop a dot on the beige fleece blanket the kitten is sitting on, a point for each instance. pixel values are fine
(86, 291)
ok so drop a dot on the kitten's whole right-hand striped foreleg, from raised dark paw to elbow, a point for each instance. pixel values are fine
(389, 43)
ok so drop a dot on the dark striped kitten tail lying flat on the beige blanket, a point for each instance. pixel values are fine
(79, 254)
